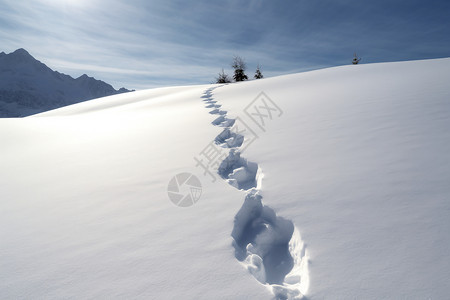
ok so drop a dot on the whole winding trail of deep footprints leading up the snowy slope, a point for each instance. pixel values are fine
(268, 246)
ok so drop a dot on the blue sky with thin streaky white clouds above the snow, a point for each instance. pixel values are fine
(143, 43)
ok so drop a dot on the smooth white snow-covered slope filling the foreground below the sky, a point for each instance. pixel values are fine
(355, 158)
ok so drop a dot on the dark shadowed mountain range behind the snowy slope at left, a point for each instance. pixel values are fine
(28, 86)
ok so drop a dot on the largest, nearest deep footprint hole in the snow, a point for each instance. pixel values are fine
(270, 248)
